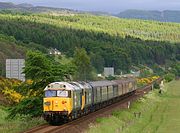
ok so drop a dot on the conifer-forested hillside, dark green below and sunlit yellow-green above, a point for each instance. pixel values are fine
(108, 41)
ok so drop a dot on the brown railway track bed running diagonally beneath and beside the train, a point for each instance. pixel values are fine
(81, 124)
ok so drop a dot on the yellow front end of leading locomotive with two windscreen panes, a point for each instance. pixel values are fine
(57, 102)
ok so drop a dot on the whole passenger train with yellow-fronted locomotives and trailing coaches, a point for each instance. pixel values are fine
(65, 101)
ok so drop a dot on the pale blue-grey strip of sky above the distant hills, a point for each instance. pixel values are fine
(111, 6)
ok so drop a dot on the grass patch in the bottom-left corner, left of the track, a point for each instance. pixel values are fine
(19, 124)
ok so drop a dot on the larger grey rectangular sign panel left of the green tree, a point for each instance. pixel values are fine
(14, 68)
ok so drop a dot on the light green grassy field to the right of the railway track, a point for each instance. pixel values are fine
(158, 114)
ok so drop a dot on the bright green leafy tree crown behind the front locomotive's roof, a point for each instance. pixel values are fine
(39, 67)
